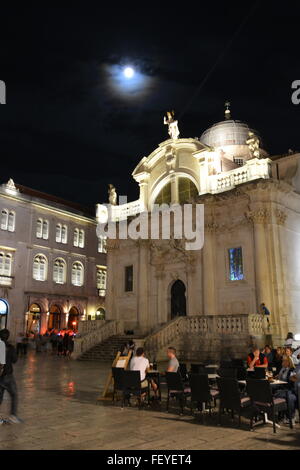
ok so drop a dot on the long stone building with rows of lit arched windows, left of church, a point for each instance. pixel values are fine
(52, 265)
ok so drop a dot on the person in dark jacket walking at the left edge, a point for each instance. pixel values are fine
(7, 379)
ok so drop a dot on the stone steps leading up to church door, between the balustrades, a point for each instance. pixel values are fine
(107, 350)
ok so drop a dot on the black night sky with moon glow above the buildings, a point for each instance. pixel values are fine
(69, 129)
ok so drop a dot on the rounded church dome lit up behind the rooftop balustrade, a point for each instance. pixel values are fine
(228, 132)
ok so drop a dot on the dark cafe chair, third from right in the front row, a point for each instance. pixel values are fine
(201, 393)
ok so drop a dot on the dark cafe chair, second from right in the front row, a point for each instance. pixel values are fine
(231, 397)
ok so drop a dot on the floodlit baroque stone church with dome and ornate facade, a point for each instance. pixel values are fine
(251, 251)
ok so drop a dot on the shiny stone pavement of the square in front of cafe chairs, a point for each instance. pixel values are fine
(58, 406)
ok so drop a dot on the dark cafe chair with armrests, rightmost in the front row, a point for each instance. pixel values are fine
(262, 400)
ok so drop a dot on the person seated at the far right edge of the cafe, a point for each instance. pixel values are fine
(286, 374)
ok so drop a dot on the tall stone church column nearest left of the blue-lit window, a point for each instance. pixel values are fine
(209, 275)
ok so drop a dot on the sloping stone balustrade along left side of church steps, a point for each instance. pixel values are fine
(93, 332)
